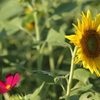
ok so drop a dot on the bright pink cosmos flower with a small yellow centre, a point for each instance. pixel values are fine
(11, 81)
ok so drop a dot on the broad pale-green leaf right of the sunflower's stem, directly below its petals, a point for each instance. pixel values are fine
(82, 75)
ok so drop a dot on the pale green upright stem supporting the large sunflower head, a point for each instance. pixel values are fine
(71, 75)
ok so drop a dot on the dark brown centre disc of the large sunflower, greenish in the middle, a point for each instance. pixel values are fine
(90, 43)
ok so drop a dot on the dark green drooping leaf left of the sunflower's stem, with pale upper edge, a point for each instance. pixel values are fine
(44, 76)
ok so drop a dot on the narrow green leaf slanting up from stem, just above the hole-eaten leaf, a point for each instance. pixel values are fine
(81, 90)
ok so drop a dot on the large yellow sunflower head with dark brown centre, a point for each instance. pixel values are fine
(87, 39)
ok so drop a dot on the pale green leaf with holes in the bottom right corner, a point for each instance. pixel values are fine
(90, 96)
